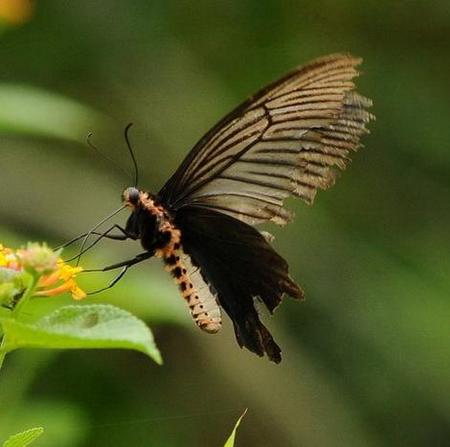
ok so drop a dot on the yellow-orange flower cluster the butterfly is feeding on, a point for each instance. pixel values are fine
(54, 277)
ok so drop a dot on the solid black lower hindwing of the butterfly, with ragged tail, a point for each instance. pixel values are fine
(241, 265)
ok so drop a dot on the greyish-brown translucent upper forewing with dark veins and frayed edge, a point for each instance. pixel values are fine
(285, 141)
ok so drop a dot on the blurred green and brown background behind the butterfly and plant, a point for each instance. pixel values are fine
(366, 357)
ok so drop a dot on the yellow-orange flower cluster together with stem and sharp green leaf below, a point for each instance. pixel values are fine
(68, 327)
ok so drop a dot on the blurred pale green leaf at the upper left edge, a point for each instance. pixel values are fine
(33, 111)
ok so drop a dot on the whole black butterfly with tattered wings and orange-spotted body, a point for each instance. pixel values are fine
(285, 141)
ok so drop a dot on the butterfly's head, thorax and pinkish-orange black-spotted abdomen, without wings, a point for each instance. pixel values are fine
(153, 225)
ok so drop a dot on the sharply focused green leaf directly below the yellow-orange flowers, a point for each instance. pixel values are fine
(82, 326)
